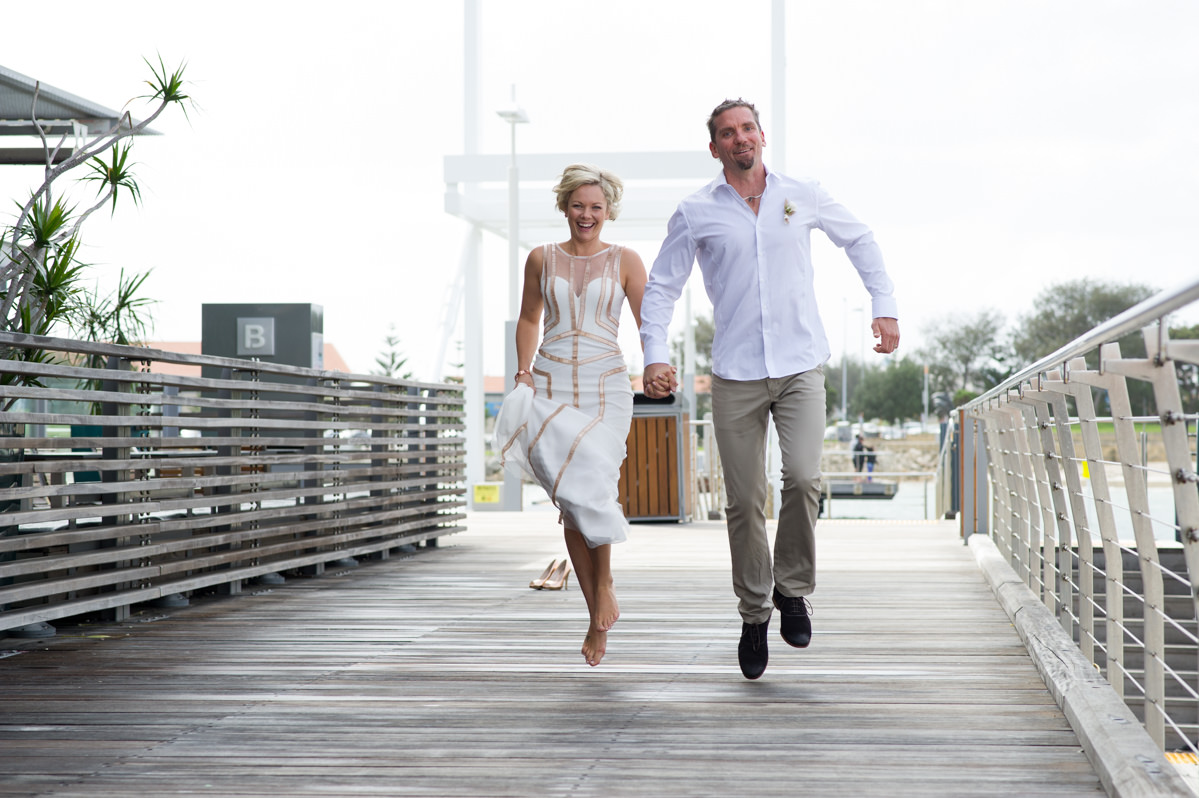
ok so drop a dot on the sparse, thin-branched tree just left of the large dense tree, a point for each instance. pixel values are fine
(965, 350)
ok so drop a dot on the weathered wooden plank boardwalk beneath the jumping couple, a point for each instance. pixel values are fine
(442, 674)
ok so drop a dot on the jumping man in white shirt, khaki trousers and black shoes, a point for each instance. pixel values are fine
(750, 229)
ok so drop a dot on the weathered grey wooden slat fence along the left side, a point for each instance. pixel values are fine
(122, 485)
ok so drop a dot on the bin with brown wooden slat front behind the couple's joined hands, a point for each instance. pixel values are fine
(655, 479)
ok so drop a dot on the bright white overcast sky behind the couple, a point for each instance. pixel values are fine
(995, 148)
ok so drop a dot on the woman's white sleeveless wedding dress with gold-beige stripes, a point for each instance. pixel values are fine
(570, 434)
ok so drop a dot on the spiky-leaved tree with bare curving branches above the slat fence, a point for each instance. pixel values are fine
(40, 267)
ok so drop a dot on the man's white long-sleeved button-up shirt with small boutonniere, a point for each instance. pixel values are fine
(758, 275)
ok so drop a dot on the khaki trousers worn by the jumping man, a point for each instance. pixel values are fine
(740, 413)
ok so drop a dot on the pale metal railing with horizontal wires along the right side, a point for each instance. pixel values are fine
(1096, 509)
